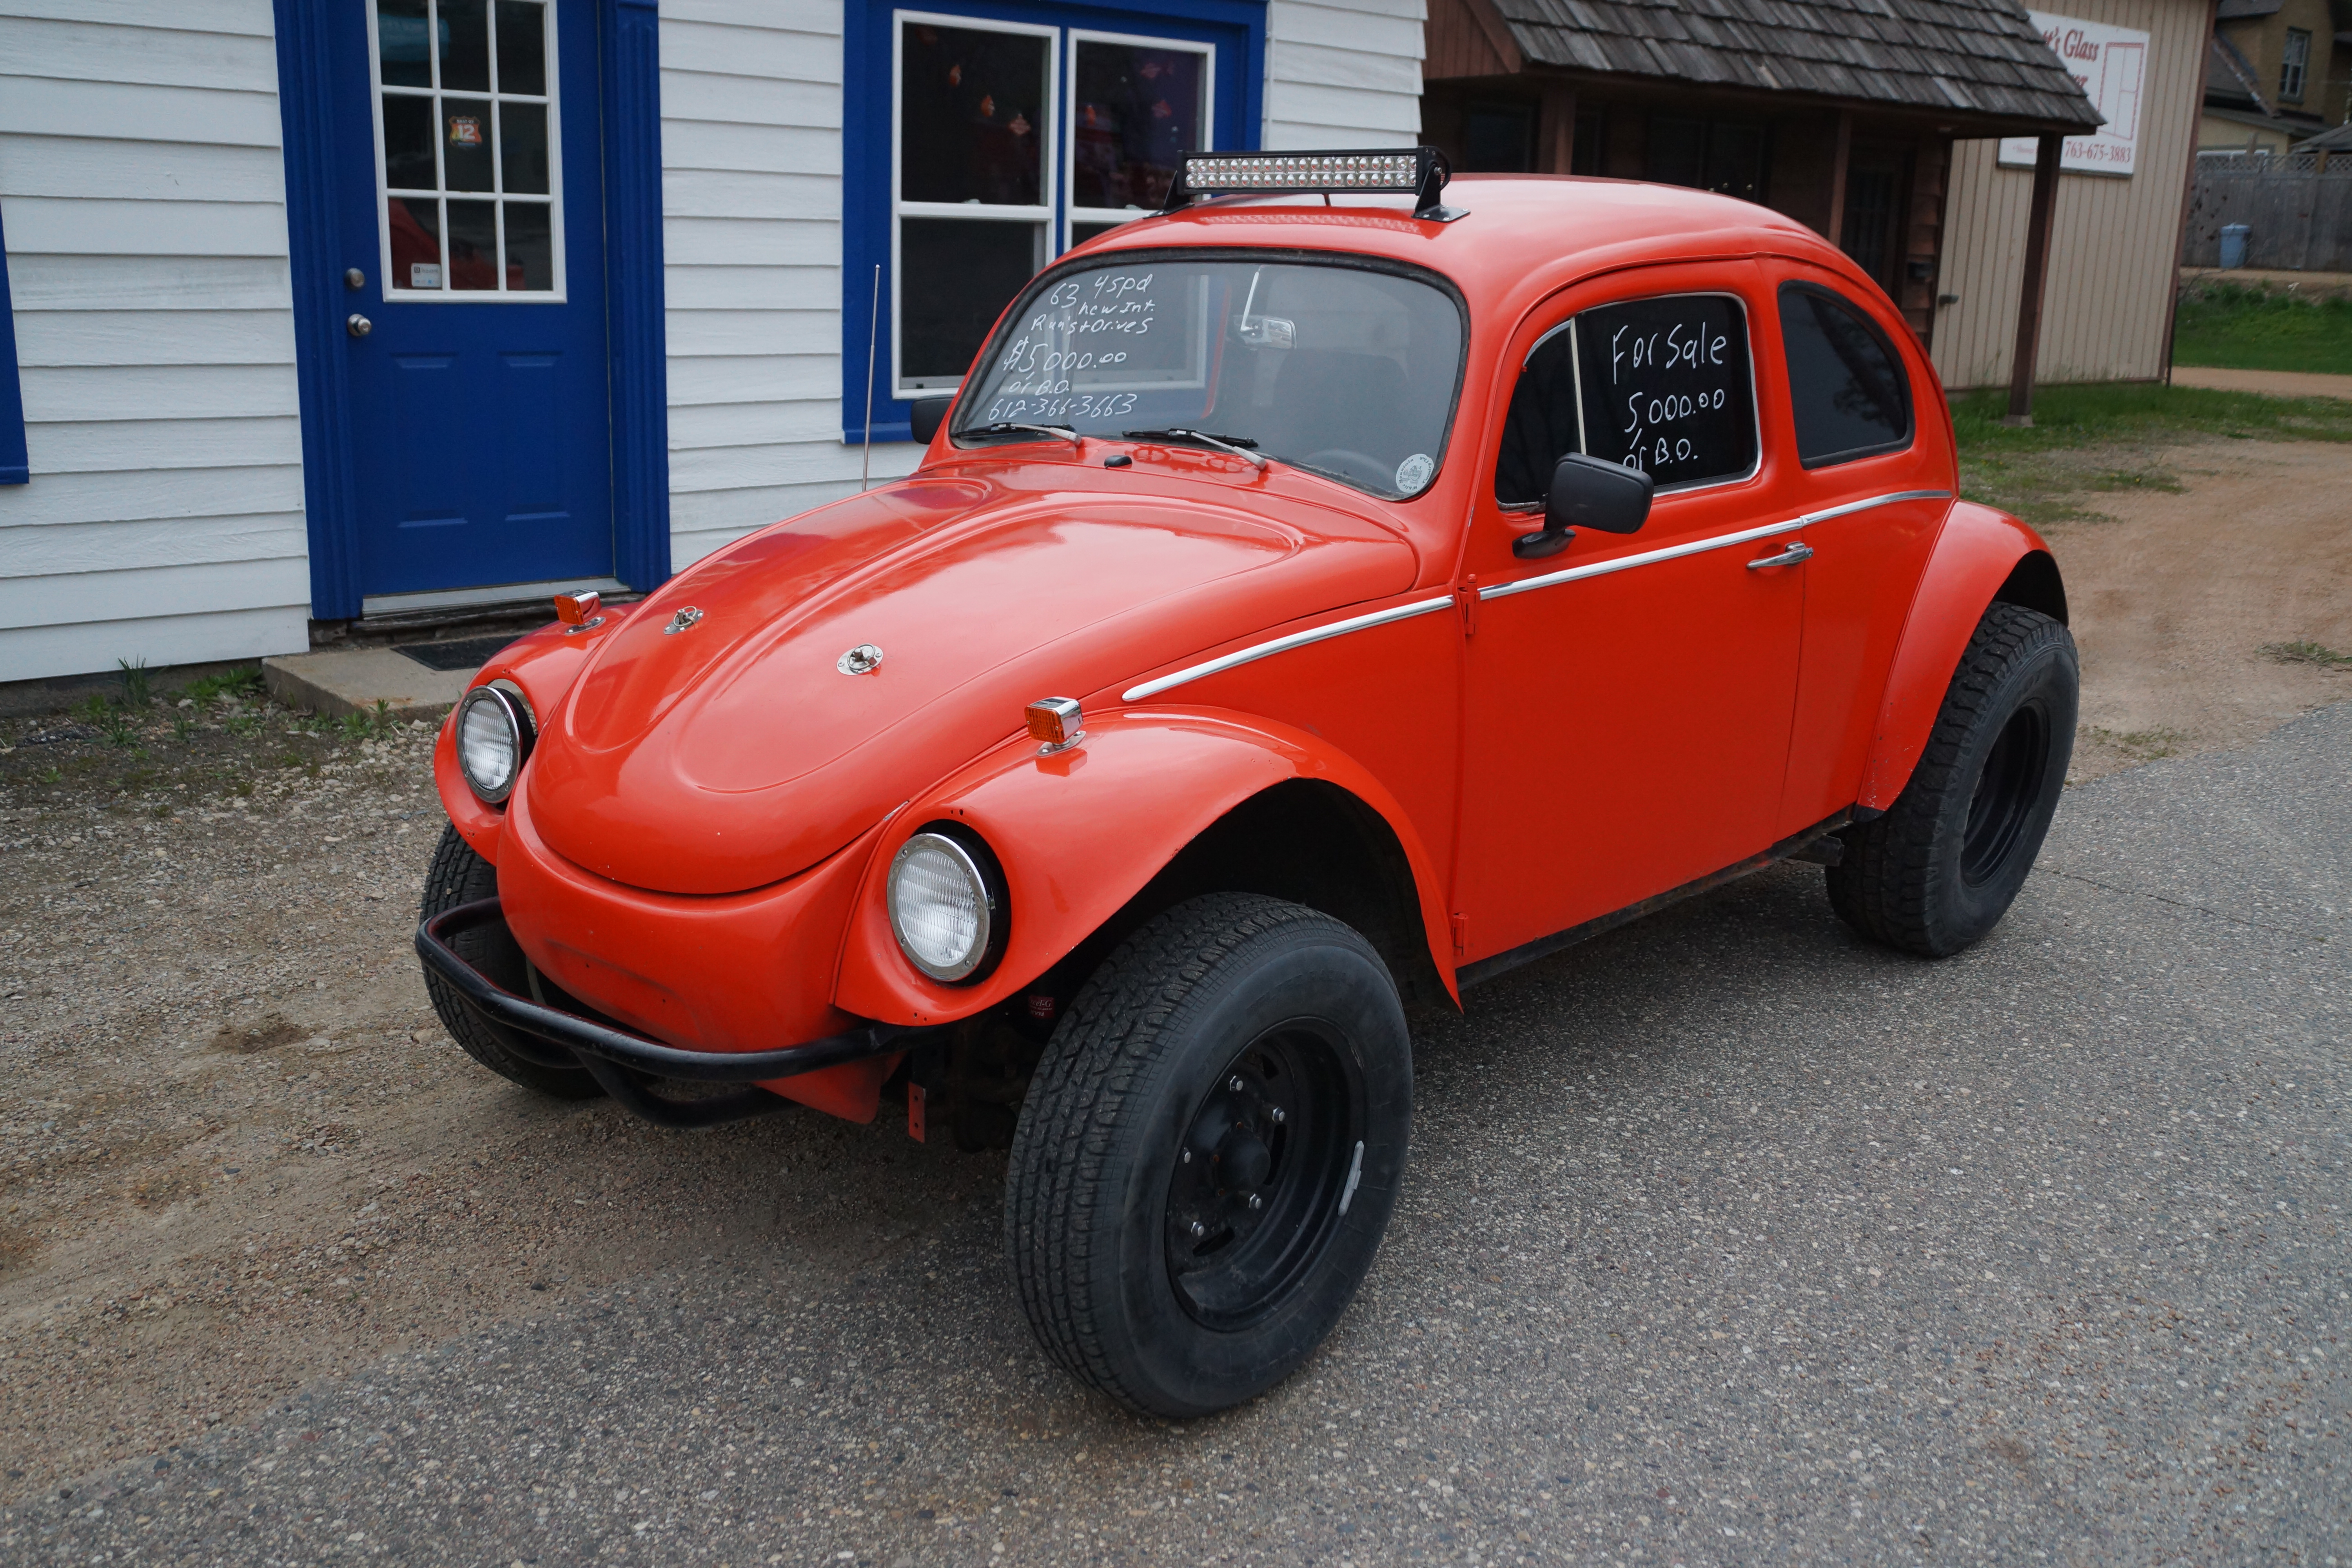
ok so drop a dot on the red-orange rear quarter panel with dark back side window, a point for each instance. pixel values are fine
(1869, 438)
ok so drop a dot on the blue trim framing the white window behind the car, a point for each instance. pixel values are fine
(867, 140)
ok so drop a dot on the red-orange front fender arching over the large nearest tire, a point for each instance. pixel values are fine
(1085, 831)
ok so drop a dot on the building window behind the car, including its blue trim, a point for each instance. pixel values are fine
(1005, 138)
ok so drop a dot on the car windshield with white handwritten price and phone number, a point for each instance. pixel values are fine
(1330, 368)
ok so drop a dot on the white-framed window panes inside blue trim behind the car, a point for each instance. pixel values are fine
(1013, 145)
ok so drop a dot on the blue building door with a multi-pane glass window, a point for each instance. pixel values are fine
(472, 229)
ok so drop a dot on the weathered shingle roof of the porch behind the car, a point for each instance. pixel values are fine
(1972, 58)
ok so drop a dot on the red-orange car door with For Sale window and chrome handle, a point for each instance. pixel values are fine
(1629, 699)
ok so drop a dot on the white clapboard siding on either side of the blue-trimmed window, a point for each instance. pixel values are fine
(751, 196)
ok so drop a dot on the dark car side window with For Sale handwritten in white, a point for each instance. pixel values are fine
(1666, 389)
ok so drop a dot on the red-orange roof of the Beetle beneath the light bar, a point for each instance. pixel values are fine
(1516, 227)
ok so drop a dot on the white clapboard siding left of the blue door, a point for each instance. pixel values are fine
(145, 206)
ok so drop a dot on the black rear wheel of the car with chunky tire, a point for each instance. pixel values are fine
(1946, 862)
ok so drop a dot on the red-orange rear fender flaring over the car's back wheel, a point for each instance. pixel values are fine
(1977, 554)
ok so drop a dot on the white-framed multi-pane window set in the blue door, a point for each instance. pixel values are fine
(467, 149)
